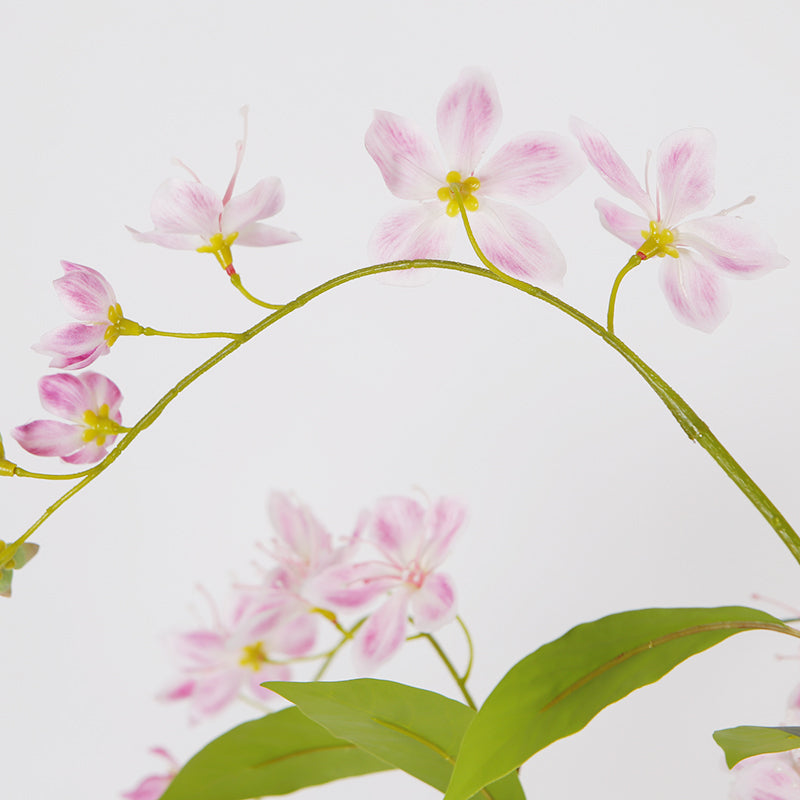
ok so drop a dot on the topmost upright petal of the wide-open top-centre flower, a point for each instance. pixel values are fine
(467, 119)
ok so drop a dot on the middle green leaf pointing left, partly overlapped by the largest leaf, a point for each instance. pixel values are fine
(415, 730)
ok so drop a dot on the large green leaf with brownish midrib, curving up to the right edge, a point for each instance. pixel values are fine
(556, 690)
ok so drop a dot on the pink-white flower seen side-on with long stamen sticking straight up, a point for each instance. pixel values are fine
(188, 215)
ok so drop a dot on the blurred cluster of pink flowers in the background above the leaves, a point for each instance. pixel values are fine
(315, 580)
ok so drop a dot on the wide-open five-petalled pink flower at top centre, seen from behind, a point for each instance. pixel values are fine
(528, 169)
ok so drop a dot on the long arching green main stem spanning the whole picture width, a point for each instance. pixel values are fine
(692, 425)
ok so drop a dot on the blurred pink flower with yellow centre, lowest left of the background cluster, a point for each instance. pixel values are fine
(218, 663)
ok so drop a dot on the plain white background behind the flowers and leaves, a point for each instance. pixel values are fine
(585, 497)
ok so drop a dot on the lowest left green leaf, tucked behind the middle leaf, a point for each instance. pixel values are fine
(273, 755)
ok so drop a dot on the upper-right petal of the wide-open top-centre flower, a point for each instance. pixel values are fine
(531, 168)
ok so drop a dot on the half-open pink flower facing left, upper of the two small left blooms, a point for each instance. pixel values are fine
(88, 297)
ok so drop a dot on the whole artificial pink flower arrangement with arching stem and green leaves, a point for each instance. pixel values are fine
(383, 584)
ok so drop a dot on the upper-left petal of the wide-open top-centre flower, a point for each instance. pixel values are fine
(410, 166)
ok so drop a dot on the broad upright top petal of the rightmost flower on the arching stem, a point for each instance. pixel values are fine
(685, 164)
